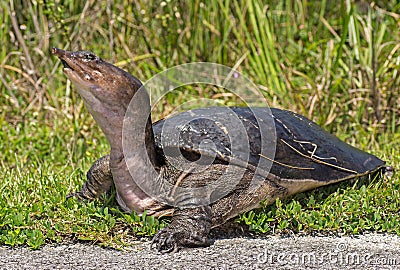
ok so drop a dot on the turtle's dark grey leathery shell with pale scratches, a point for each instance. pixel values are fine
(284, 144)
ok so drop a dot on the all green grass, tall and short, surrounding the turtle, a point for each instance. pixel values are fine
(335, 63)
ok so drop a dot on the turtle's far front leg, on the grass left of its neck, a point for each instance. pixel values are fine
(99, 180)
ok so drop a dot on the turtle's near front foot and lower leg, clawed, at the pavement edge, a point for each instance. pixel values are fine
(189, 228)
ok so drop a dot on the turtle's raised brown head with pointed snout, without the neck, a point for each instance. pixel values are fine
(97, 81)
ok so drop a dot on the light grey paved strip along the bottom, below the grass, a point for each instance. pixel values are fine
(272, 252)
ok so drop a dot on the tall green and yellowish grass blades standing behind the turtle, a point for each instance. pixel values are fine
(331, 62)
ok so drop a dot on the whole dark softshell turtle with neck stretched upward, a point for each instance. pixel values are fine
(306, 156)
